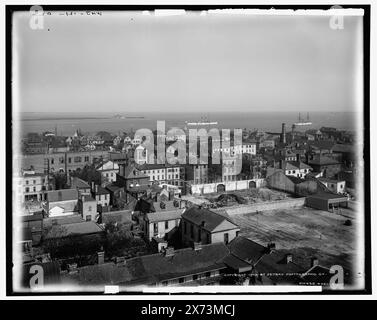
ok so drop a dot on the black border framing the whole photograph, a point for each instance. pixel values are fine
(10, 9)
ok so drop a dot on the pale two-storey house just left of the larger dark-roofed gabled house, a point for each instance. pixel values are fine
(161, 224)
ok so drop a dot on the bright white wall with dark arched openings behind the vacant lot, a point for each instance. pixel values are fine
(206, 188)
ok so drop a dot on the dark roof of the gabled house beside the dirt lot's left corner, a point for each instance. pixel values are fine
(211, 219)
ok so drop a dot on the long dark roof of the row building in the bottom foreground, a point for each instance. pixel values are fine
(153, 268)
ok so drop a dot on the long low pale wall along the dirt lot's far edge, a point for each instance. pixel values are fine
(265, 206)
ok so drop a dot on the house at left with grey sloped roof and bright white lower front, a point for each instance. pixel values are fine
(62, 202)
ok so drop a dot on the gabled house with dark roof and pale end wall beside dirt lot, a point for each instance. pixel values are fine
(205, 226)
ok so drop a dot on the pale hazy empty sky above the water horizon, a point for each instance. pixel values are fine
(125, 62)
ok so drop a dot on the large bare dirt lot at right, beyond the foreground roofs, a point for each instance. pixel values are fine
(305, 233)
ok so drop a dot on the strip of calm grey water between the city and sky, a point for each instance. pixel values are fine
(90, 122)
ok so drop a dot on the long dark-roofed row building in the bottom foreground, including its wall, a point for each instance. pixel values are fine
(201, 265)
